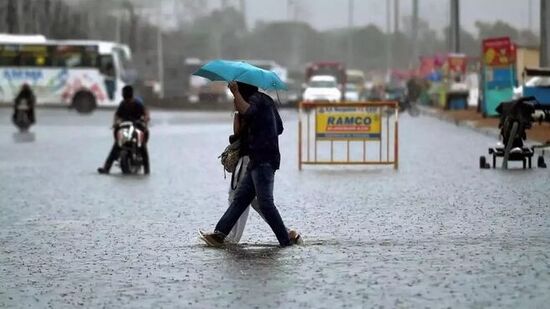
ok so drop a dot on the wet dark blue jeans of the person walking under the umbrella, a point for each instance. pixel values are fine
(257, 182)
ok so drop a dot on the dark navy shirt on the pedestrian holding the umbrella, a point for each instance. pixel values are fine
(264, 127)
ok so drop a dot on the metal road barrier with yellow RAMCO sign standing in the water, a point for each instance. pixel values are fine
(372, 126)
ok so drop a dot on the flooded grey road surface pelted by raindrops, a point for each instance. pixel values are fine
(437, 233)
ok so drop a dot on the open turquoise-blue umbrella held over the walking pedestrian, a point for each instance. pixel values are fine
(225, 70)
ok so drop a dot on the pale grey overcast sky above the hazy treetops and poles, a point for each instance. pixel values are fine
(326, 14)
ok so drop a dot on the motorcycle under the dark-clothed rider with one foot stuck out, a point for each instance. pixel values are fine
(130, 139)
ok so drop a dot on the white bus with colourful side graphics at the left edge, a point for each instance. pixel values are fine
(83, 74)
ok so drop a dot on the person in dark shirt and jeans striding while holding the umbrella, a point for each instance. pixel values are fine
(264, 127)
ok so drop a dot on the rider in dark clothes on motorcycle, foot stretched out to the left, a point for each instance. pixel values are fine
(129, 110)
